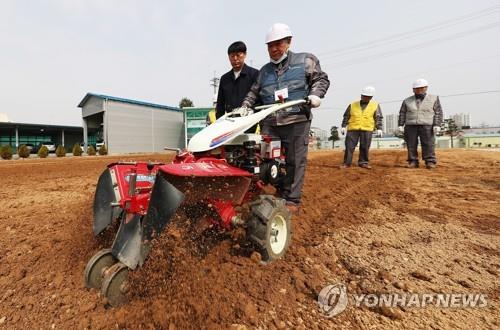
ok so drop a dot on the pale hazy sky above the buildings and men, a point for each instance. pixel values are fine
(54, 52)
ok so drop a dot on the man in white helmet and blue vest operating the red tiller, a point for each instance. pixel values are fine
(290, 76)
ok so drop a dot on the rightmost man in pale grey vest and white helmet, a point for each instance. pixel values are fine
(420, 117)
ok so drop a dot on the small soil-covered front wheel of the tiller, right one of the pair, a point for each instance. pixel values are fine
(115, 284)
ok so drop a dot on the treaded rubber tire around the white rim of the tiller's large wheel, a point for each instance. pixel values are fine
(259, 227)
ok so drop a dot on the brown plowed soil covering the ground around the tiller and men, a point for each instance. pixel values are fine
(389, 229)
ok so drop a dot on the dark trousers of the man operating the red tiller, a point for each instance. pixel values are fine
(295, 141)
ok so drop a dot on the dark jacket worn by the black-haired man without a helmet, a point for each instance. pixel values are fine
(233, 91)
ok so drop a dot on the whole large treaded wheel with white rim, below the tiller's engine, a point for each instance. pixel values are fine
(269, 227)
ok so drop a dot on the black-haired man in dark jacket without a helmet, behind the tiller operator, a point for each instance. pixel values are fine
(235, 84)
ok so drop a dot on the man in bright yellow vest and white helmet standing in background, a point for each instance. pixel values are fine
(361, 118)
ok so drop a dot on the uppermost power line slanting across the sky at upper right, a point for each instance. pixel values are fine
(410, 34)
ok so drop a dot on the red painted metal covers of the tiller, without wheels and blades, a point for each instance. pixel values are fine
(197, 177)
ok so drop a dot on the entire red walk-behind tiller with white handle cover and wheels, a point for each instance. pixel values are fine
(225, 184)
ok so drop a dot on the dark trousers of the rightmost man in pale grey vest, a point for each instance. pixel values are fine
(426, 135)
